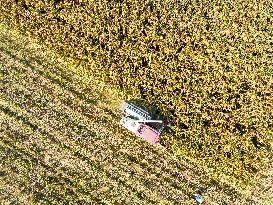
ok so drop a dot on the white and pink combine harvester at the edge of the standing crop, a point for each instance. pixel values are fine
(140, 122)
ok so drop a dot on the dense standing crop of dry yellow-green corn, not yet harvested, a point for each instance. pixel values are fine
(206, 65)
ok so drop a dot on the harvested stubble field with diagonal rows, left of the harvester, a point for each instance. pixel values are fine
(60, 141)
